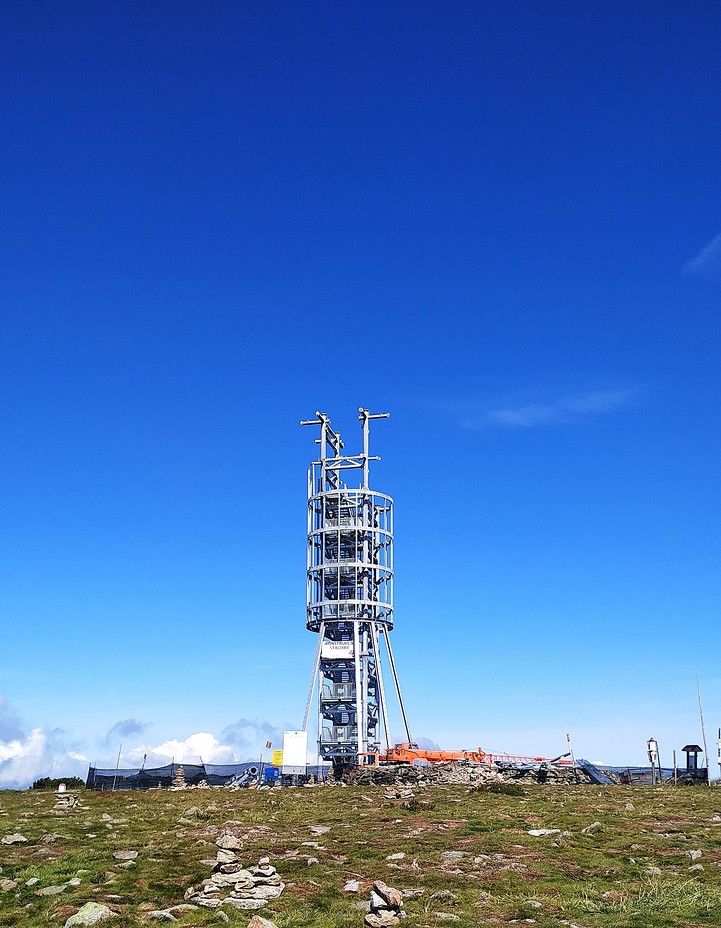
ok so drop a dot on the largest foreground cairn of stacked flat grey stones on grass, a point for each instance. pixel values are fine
(249, 888)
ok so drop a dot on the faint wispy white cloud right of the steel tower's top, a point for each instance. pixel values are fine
(515, 411)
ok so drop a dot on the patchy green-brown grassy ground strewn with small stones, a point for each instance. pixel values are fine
(594, 879)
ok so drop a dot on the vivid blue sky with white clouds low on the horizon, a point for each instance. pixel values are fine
(499, 221)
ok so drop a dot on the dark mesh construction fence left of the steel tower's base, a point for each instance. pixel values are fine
(193, 774)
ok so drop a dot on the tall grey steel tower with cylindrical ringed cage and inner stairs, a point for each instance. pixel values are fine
(349, 600)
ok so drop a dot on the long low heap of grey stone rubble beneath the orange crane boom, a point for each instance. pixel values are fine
(464, 774)
